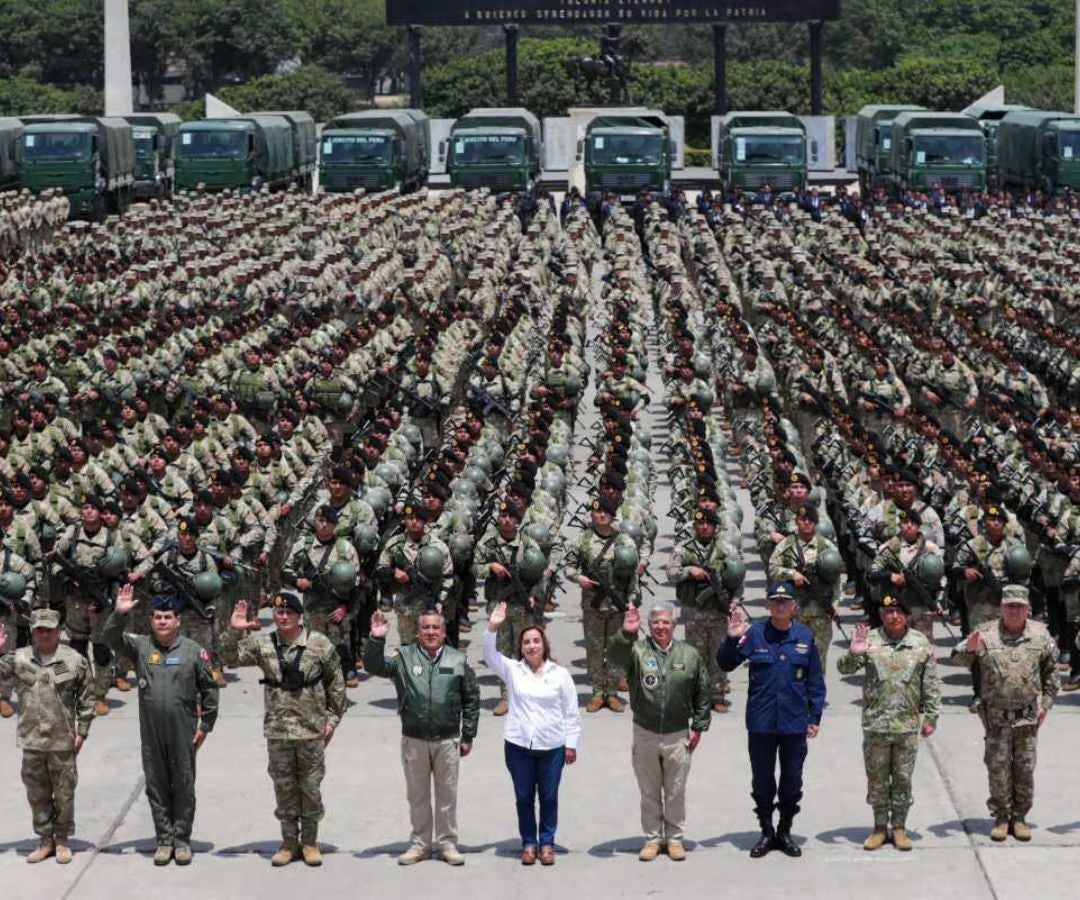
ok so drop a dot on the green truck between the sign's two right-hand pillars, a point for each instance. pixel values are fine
(755, 150)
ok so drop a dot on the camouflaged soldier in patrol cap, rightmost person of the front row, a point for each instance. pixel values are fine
(1019, 671)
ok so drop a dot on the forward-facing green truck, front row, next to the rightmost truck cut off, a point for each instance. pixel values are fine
(943, 149)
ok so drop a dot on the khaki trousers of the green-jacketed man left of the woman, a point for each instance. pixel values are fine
(428, 763)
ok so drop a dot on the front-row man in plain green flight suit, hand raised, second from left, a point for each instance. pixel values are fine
(178, 709)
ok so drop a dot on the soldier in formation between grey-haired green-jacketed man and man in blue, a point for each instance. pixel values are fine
(696, 568)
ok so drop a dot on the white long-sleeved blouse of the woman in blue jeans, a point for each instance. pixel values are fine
(544, 708)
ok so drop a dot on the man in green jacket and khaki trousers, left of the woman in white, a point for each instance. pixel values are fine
(439, 704)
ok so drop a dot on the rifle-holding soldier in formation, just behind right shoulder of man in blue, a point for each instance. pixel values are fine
(795, 560)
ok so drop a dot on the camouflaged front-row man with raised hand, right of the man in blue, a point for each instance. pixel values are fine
(901, 701)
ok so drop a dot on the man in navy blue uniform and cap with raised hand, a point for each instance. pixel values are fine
(785, 707)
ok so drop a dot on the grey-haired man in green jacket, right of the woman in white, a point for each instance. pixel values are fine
(670, 690)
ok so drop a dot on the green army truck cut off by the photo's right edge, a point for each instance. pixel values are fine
(1039, 151)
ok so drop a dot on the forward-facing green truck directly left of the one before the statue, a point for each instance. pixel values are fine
(495, 149)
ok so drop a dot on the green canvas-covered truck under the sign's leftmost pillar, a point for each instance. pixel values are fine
(377, 150)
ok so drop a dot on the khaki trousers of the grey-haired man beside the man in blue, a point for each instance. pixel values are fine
(663, 767)
